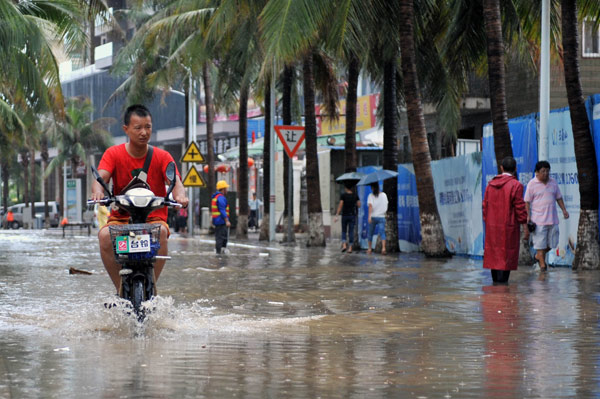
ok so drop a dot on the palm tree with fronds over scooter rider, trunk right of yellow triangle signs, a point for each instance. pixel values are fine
(175, 41)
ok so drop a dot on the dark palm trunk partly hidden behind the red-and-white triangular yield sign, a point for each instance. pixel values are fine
(288, 189)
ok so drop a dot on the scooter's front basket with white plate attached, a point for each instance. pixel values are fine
(135, 242)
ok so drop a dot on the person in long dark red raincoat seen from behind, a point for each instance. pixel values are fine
(503, 212)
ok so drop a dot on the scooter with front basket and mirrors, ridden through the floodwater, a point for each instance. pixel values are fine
(136, 244)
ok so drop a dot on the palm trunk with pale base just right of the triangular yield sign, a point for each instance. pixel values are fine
(316, 237)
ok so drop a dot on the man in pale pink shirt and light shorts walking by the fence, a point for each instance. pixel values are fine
(541, 197)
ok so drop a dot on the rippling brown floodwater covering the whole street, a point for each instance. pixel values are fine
(285, 322)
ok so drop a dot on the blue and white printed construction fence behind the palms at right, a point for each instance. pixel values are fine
(460, 182)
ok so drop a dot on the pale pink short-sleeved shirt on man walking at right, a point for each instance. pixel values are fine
(542, 198)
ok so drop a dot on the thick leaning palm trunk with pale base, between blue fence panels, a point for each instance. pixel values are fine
(433, 242)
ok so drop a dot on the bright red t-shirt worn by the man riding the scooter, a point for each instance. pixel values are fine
(123, 167)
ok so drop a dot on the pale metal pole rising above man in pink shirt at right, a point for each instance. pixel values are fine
(544, 81)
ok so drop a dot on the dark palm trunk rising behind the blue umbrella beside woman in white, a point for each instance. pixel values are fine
(390, 153)
